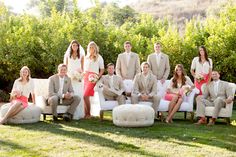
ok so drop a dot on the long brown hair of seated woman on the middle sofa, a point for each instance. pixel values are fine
(176, 76)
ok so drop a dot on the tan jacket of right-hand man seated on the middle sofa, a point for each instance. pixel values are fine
(148, 88)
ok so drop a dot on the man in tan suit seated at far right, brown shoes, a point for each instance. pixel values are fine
(217, 94)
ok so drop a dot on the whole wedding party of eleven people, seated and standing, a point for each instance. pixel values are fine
(64, 86)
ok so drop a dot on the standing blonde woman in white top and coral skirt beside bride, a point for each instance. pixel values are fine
(94, 68)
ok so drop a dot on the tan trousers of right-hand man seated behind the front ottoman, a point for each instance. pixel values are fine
(155, 101)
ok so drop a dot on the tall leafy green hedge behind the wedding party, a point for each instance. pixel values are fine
(40, 42)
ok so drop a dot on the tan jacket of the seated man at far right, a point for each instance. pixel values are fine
(224, 91)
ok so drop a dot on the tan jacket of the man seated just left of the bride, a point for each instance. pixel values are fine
(54, 86)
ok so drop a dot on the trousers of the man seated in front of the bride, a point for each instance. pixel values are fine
(73, 102)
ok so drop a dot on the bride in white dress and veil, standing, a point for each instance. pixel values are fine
(74, 59)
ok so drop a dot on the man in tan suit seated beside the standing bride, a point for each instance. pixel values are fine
(61, 92)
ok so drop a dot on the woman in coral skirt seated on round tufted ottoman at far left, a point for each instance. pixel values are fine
(21, 90)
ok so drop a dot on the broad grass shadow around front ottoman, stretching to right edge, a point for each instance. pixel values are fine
(182, 130)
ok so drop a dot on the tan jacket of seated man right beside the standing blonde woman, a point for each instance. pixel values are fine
(118, 85)
